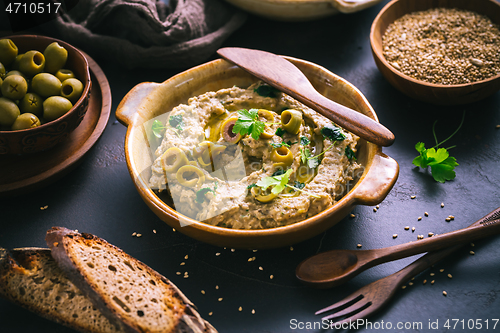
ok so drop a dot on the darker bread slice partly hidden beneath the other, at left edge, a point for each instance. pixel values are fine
(31, 278)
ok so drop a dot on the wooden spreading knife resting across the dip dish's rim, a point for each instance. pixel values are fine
(284, 76)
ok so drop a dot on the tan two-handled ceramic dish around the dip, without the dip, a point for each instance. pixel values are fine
(149, 100)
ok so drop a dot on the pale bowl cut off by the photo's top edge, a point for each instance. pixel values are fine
(301, 10)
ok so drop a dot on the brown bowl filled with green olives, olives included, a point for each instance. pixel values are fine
(44, 92)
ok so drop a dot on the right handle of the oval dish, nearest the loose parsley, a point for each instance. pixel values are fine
(379, 180)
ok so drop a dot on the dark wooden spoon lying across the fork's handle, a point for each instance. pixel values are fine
(332, 268)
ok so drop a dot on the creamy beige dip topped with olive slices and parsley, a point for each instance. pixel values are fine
(251, 158)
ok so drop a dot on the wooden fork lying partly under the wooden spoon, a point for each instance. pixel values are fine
(371, 298)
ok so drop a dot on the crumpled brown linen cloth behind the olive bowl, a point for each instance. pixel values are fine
(148, 33)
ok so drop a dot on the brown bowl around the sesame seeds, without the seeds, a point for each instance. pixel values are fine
(432, 93)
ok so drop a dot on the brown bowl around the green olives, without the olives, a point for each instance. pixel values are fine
(51, 133)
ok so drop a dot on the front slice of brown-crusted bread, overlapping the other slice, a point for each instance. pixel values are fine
(123, 288)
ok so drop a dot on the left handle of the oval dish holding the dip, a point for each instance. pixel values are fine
(126, 110)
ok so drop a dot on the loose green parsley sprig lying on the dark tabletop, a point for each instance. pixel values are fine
(441, 163)
